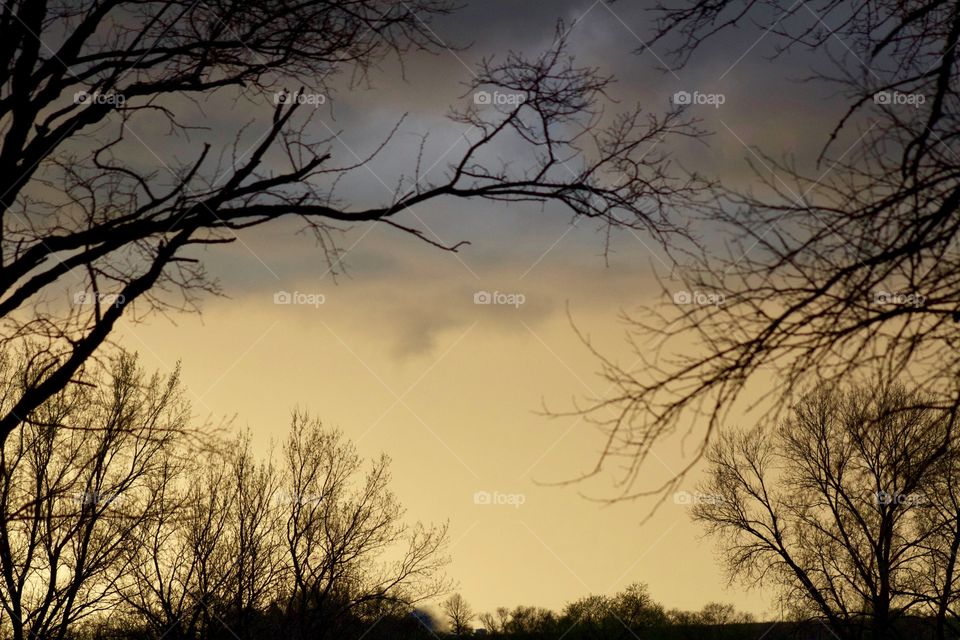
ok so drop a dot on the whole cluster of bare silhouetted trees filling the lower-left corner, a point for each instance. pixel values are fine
(121, 520)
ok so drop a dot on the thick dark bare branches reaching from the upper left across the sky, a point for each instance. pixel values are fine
(87, 205)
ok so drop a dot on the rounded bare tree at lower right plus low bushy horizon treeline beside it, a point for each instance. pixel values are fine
(849, 508)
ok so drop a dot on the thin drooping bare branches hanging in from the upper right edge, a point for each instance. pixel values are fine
(832, 272)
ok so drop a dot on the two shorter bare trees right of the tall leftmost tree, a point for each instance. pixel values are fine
(311, 546)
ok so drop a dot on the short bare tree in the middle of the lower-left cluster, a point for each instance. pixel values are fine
(213, 555)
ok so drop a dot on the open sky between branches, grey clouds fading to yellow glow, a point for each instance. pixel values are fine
(401, 359)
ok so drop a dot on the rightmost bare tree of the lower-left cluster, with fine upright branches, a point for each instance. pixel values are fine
(341, 519)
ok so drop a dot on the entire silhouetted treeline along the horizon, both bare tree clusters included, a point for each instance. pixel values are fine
(123, 520)
